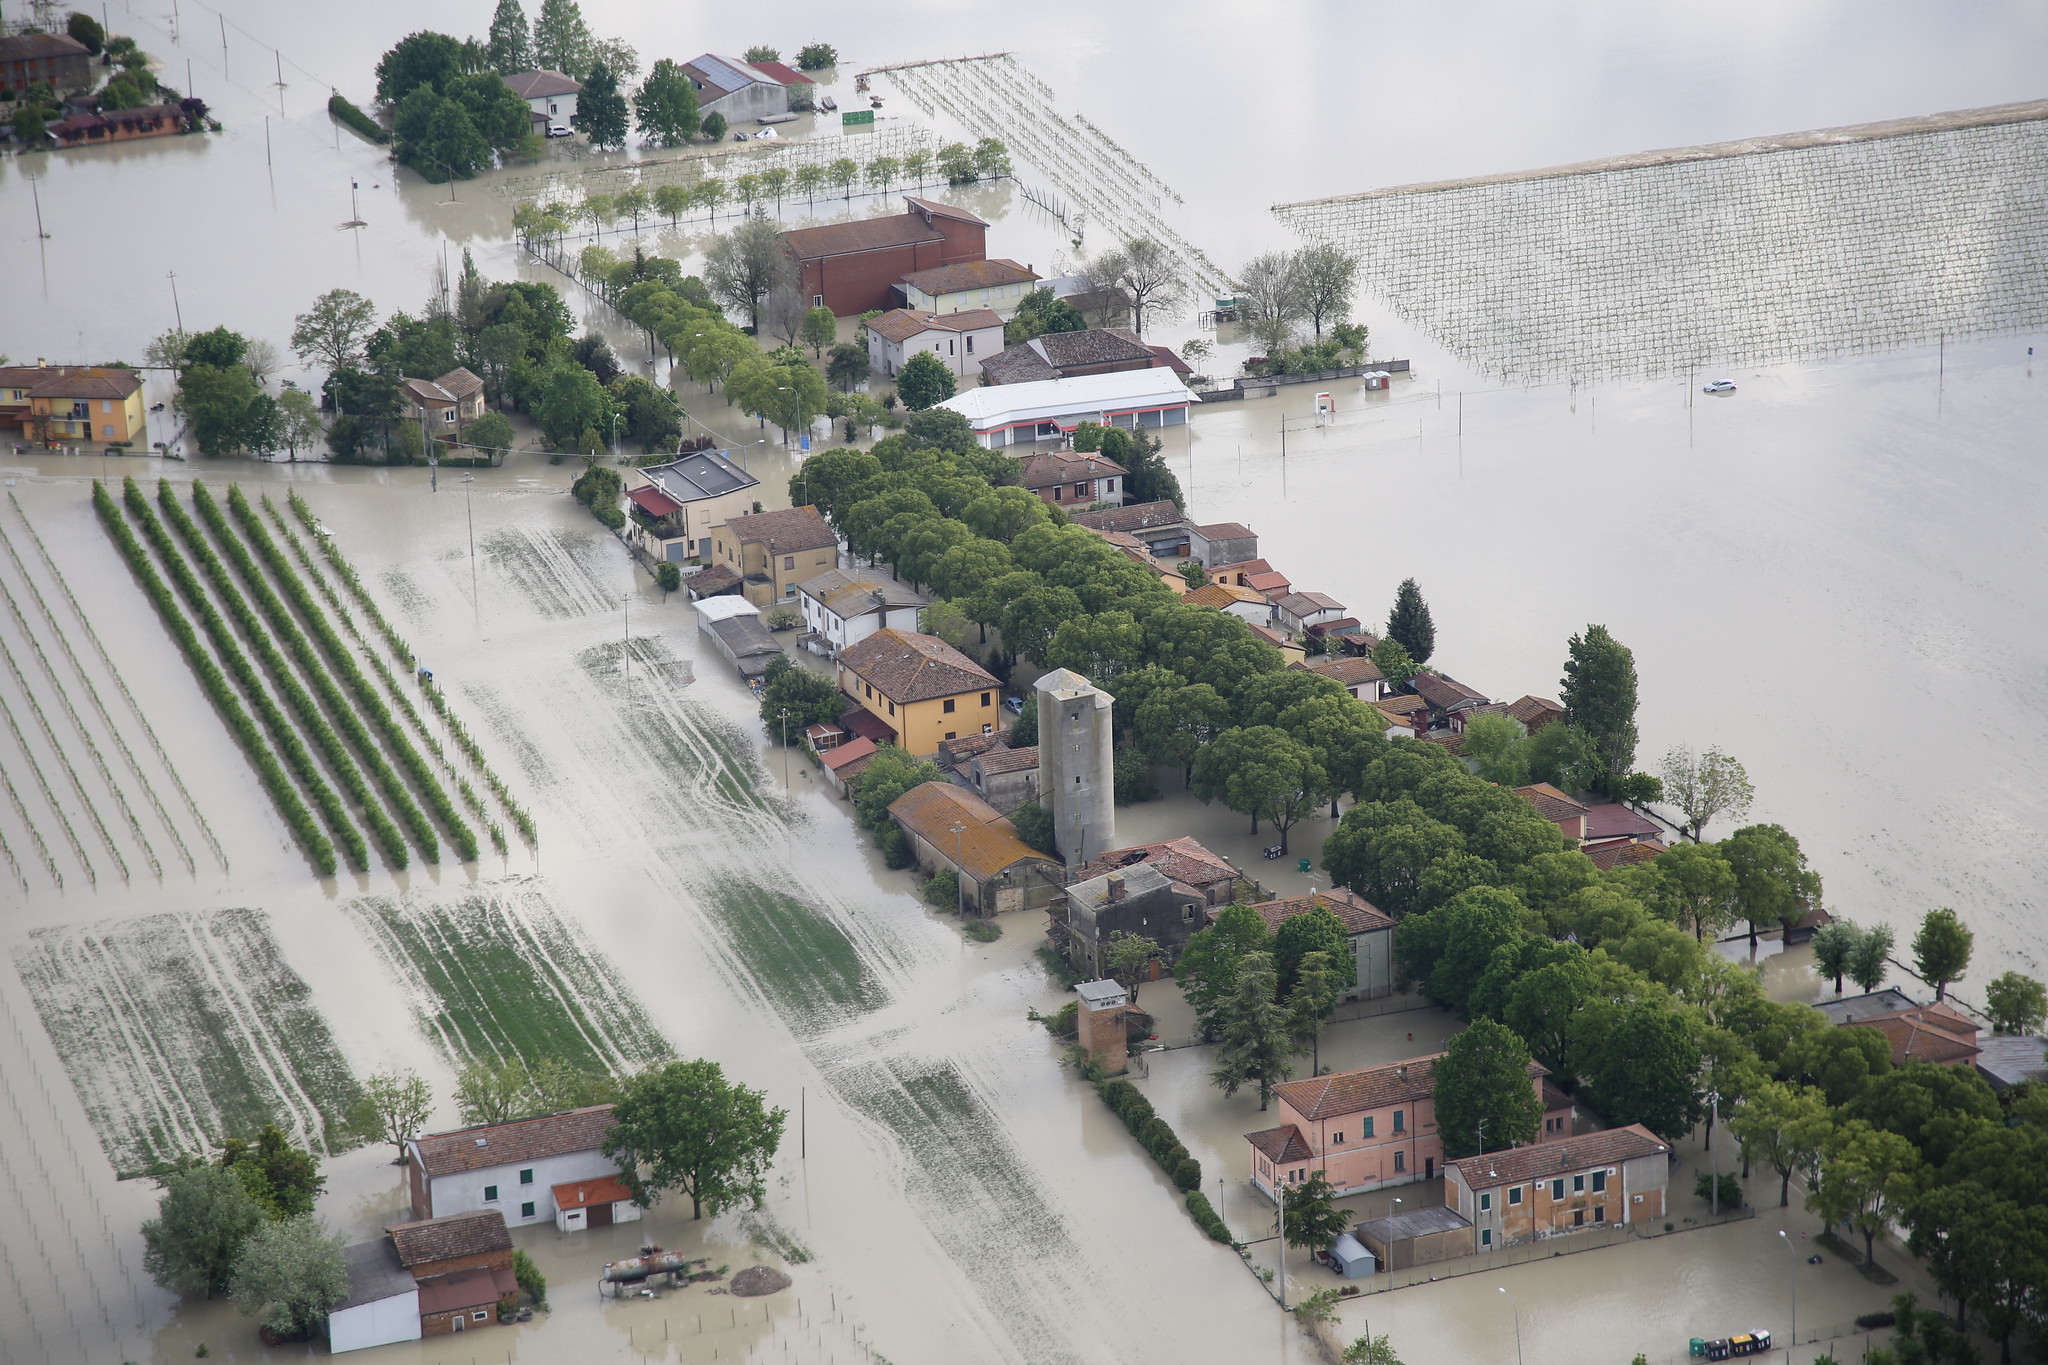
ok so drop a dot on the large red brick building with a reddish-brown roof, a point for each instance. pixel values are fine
(857, 267)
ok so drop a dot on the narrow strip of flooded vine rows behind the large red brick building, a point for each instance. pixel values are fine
(998, 97)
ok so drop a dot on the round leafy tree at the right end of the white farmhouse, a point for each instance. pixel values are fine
(687, 1129)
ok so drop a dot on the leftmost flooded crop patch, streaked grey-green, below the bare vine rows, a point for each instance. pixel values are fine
(183, 1030)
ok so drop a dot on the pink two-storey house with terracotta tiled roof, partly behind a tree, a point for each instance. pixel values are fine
(1371, 1127)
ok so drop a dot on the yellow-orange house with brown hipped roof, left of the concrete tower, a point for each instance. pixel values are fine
(923, 689)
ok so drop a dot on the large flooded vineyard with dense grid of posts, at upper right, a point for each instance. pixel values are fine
(1732, 257)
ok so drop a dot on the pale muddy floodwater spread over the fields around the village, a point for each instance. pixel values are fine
(1811, 576)
